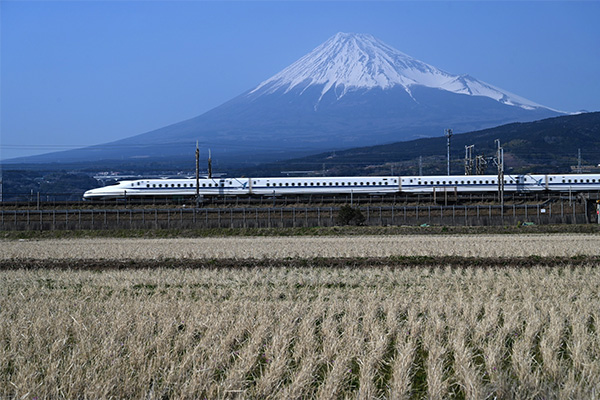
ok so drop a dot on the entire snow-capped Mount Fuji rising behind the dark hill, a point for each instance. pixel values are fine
(353, 90)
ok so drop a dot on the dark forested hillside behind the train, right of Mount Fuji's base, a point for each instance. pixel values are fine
(549, 145)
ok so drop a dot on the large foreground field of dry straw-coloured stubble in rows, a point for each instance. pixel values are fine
(435, 332)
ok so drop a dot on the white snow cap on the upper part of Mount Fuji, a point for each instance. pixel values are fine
(349, 61)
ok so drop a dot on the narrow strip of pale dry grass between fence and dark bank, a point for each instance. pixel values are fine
(561, 245)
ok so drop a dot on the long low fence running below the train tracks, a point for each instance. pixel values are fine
(560, 212)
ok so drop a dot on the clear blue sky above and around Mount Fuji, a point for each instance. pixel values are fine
(77, 73)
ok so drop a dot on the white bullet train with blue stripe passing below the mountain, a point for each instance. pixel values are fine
(376, 185)
